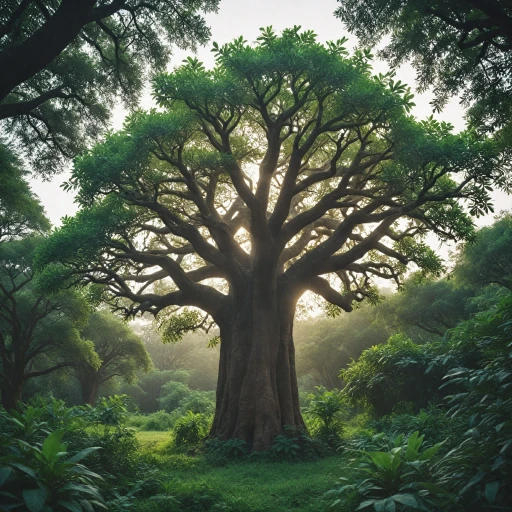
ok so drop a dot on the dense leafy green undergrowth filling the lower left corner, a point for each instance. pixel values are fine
(55, 458)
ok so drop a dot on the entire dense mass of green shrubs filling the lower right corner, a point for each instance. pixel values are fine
(471, 474)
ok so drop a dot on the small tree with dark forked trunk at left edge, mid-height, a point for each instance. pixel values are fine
(38, 333)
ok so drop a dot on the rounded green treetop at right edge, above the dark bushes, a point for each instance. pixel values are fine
(489, 260)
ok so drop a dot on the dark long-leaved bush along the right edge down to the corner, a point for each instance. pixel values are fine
(478, 469)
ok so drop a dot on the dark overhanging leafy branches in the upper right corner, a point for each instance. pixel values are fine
(456, 46)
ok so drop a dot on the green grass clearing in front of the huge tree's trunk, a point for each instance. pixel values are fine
(255, 486)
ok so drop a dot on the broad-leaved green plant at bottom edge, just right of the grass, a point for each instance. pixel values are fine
(396, 479)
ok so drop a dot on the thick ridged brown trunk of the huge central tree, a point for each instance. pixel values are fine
(257, 392)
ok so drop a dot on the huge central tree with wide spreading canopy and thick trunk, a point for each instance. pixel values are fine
(286, 168)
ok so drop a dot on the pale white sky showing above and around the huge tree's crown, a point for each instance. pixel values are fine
(244, 17)
